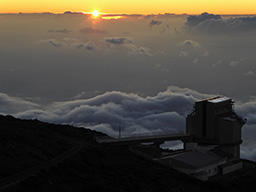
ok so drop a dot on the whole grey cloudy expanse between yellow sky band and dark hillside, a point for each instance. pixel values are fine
(140, 72)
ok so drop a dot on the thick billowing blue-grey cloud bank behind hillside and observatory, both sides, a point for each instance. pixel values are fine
(164, 112)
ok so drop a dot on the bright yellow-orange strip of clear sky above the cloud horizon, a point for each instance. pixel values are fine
(131, 6)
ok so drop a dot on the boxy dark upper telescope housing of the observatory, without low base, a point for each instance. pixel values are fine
(214, 122)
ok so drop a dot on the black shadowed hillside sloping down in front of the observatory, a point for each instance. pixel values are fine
(36, 156)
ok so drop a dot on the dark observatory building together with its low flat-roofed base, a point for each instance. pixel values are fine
(214, 147)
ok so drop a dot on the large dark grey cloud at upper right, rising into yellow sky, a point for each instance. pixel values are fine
(211, 23)
